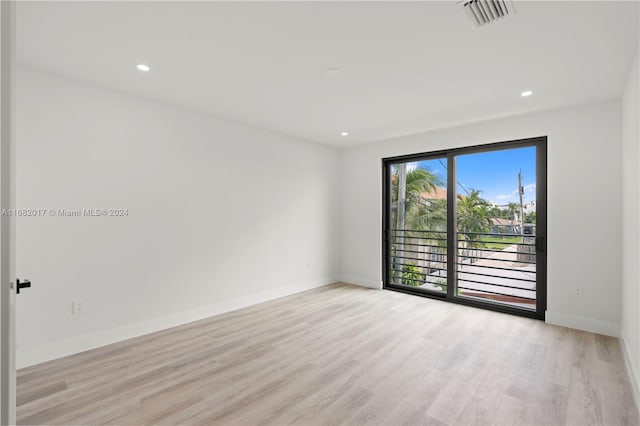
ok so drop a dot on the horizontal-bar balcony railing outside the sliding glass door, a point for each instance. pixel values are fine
(490, 266)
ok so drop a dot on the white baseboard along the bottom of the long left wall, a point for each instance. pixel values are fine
(26, 357)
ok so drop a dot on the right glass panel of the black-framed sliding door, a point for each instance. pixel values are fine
(496, 227)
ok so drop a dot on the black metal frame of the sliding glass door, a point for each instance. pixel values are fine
(541, 224)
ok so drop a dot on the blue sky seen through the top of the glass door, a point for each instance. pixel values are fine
(495, 173)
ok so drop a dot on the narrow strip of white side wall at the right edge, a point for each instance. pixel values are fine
(630, 329)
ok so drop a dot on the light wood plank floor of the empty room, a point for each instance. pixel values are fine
(340, 355)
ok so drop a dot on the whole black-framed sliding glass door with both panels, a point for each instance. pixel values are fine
(468, 225)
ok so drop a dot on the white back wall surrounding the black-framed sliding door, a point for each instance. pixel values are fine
(584, 205)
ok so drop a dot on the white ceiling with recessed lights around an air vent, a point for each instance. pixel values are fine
(405, 66)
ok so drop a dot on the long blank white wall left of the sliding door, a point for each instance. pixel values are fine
(220, 215)
